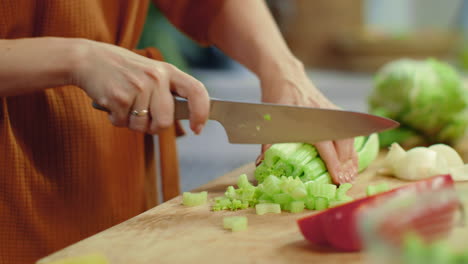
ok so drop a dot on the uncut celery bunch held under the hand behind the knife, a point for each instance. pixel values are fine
(302, 161)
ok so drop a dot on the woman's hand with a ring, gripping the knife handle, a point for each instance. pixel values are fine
(122, 81)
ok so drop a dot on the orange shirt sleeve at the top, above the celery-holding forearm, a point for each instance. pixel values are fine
(193, 17)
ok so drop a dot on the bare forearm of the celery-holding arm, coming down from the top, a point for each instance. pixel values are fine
(246, 31)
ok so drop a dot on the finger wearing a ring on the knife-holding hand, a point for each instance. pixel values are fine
(140, 122)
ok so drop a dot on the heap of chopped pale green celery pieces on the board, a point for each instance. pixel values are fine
(290, 193)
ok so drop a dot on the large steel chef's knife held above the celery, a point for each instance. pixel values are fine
(264, 123)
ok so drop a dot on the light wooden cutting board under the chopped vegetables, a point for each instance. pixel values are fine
(173, 233)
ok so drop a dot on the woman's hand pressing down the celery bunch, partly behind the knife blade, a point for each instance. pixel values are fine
(293, 87)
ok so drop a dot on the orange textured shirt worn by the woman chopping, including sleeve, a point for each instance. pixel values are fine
(65, 172)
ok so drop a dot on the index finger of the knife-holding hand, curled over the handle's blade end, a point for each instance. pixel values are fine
(196, 94)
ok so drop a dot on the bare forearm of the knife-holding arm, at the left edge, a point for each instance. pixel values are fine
(31, 64)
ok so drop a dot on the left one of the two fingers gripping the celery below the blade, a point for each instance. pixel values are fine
(328, 153)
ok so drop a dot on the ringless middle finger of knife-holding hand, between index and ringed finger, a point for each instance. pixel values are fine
(161, 106)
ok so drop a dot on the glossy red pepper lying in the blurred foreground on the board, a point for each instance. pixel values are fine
(337, 226)
